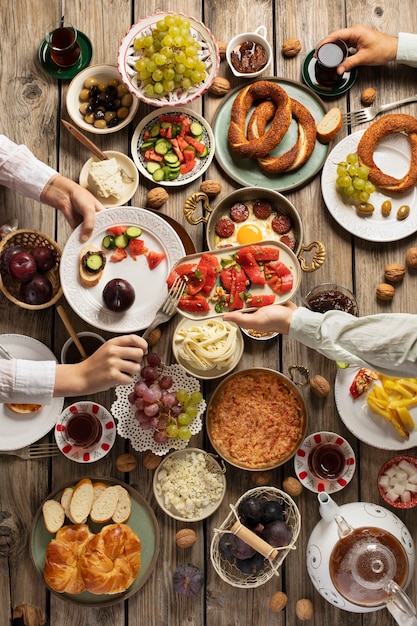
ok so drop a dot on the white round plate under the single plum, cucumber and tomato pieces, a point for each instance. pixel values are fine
(149, 285)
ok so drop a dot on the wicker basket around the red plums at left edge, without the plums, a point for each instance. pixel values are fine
(29, 239)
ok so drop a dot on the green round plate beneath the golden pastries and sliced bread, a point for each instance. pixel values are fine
(142, 521)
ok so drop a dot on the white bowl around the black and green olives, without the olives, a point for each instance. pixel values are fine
(103, 73)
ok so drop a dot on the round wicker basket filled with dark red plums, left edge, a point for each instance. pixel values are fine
(29, 269)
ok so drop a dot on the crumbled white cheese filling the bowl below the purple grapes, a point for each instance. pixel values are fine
(188, 486)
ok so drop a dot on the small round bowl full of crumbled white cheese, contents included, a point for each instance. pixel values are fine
(206, 491)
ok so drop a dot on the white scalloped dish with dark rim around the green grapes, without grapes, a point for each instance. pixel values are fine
(128, 56)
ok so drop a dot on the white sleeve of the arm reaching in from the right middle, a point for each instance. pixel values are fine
(386, 343)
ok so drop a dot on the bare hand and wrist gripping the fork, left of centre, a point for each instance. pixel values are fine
(114, 363)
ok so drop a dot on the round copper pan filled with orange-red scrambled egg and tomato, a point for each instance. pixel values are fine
(256, 419)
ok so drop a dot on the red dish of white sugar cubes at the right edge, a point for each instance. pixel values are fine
(397, 482)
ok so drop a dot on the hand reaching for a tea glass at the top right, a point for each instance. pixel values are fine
(372, 47)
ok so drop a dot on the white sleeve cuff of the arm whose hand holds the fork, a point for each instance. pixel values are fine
(27, 381)
